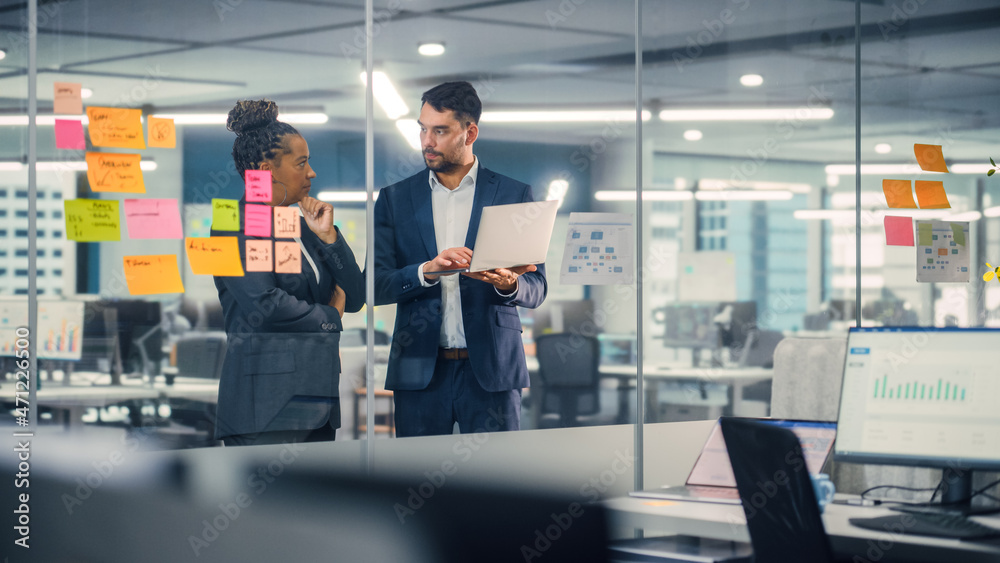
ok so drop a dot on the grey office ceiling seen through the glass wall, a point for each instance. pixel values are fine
(928, 68)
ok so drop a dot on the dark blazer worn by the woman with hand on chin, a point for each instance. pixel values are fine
(283, 337)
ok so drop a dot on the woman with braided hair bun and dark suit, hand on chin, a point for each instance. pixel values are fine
(281, 373)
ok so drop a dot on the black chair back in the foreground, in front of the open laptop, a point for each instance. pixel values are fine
(779, 502)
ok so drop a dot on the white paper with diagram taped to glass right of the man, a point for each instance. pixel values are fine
(599, 249)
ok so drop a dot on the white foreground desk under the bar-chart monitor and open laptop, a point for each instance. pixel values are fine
(727, 522)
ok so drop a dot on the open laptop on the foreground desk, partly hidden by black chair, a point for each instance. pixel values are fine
(712, 480)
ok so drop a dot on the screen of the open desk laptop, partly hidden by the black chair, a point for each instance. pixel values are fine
(713, 468)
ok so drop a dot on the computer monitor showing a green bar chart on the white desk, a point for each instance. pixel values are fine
(922, 397)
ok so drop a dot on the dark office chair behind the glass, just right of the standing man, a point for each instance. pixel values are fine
(568, 370)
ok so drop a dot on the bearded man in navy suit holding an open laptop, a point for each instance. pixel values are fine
(456, 352)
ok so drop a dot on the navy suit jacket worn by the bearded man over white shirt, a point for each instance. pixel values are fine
(404, 239)
